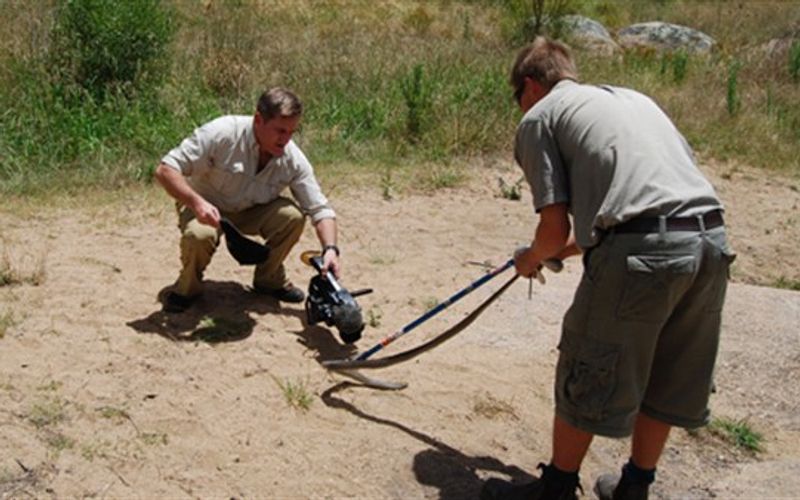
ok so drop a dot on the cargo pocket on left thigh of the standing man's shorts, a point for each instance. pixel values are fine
(586, 377)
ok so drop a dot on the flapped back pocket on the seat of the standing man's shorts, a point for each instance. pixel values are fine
(651, 285)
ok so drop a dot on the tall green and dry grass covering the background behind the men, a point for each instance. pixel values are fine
(384, 83)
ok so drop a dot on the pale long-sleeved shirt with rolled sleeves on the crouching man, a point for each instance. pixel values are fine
(220, 160)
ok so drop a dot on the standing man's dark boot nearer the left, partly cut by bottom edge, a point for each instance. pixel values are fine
(553, 485)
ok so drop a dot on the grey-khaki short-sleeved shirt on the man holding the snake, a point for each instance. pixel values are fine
(610, 154)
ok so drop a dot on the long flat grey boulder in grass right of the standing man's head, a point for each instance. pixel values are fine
(665, 37)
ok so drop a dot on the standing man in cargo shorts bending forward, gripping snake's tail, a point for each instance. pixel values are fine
(639, 342)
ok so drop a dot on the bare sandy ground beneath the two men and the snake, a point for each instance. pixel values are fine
(102, 395)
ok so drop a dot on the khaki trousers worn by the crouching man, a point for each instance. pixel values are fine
(279, 222)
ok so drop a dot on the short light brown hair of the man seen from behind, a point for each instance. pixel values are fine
(547, 61)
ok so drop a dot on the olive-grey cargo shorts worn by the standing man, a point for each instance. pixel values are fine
(642, 332)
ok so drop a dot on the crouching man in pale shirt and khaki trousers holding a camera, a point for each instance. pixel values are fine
(236, 167)
